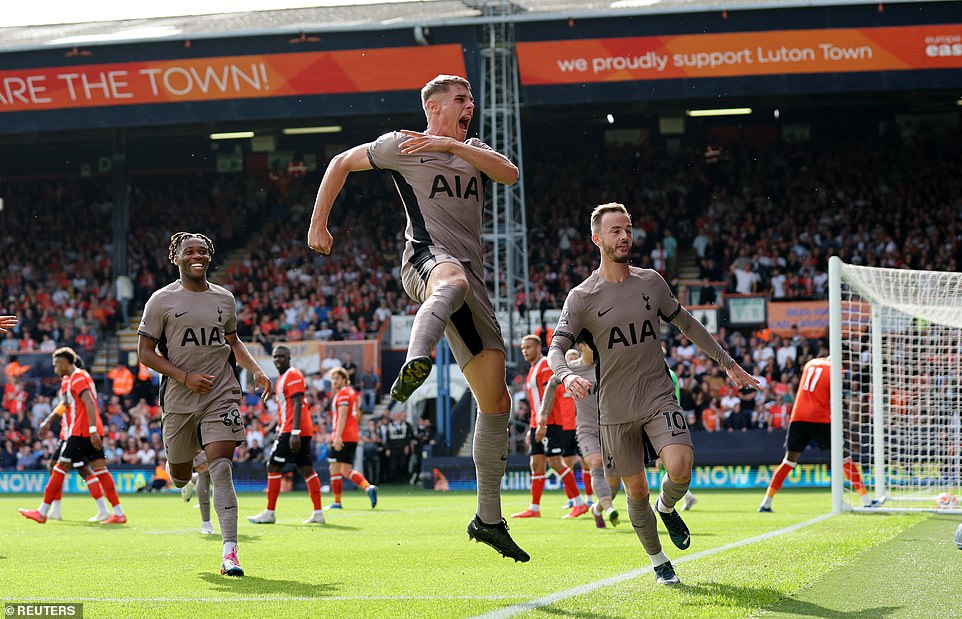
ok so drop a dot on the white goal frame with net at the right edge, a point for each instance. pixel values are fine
(896, 343)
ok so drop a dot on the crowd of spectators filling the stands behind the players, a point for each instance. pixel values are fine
(893, 200)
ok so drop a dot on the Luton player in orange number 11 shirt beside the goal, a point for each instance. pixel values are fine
(811, 421)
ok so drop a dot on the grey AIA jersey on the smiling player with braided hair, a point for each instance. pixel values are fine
(190, 329)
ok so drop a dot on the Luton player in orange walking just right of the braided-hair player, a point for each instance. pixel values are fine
(293, 443)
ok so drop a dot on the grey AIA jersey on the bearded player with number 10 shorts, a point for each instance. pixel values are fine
(620, 321)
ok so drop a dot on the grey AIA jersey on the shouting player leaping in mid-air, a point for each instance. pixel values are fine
(443, 197)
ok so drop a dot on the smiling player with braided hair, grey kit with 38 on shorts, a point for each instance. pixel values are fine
(189, 335)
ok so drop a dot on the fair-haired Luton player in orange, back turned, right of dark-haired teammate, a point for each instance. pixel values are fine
(344, 438)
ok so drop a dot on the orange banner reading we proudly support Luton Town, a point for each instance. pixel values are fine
(739, 54)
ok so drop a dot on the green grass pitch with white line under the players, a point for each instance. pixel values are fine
(411, 557)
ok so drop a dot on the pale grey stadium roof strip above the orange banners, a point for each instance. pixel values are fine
(361, 17)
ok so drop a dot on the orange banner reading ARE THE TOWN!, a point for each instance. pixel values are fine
(231, 77)
